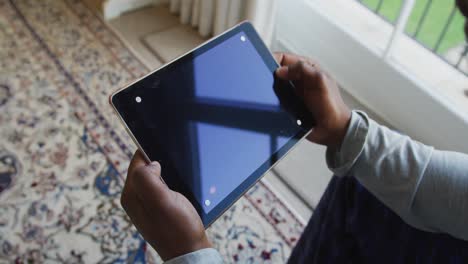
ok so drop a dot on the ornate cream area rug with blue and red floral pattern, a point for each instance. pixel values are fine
(63, 154)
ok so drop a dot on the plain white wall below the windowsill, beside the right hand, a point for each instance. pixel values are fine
(403, 101)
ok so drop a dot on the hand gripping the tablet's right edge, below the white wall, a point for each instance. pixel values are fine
(321, 96)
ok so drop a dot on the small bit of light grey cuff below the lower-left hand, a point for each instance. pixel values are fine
(202, 256)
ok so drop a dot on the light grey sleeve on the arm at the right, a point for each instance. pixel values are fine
(427, 188)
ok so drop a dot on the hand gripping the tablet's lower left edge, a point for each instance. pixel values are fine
(166, 219)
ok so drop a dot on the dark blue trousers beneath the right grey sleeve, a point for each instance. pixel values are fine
(351, 226)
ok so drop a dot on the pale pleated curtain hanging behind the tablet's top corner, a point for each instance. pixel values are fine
(212, 17)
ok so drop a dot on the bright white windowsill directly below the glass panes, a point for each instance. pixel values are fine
(408, 55)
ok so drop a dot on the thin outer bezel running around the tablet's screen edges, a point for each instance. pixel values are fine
(268, 59)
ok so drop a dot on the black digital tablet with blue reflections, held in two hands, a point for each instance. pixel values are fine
(215, 118)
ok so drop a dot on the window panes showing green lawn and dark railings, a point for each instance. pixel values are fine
(436, 25)
